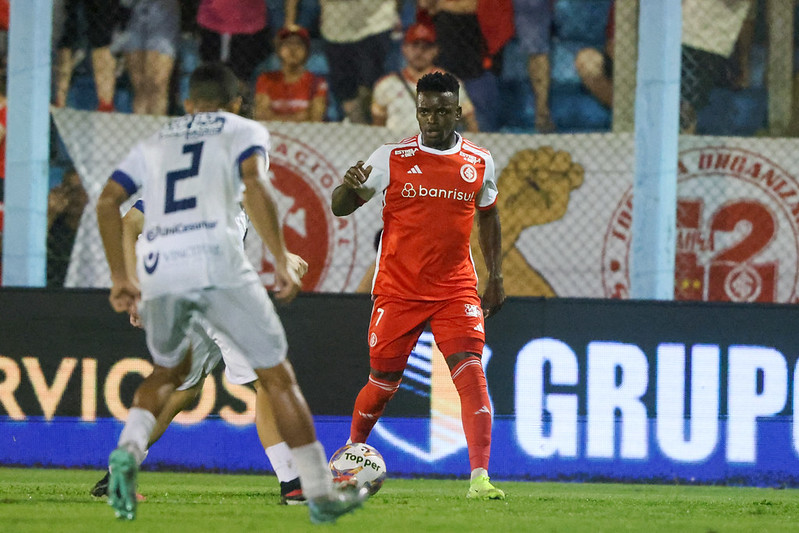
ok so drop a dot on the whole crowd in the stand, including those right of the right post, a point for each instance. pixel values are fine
(352, 58)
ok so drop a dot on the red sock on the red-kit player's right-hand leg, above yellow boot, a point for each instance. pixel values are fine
(470, 381)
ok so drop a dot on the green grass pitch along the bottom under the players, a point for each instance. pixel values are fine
(43, 500)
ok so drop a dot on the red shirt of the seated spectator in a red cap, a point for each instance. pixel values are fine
(288, 98)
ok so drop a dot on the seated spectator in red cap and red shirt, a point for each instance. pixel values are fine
(292, 93)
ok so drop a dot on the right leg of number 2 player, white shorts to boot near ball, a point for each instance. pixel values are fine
(245, 319)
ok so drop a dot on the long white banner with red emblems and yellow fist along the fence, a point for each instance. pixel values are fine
(565, 203)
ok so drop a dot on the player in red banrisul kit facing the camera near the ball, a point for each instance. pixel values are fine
(431, 185)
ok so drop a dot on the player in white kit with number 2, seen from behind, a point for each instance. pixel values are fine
(193, 174)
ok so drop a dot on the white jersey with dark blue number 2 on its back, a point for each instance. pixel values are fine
(189, 175)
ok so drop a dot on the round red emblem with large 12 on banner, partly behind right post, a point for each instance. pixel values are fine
(737, 230)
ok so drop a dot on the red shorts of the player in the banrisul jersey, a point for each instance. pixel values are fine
(396, 324)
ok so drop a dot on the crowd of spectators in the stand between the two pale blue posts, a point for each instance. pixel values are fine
(137, 44)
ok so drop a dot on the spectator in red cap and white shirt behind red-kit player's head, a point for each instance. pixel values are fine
(394, 95)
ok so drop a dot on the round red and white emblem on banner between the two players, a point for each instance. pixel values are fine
(303, 182)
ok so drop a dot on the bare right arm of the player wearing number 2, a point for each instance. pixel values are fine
(261, 208)
